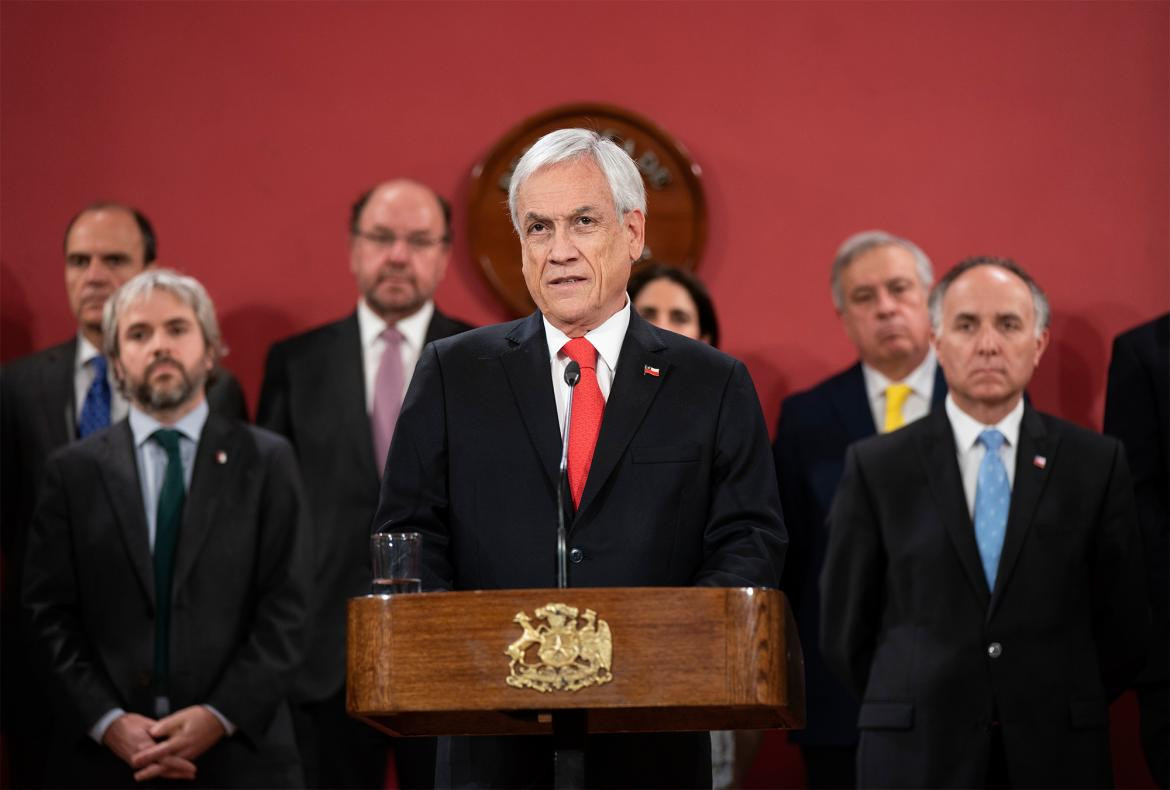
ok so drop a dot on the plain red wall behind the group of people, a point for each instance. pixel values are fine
(245, 129)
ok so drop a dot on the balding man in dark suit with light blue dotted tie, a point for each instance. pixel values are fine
(983, 592)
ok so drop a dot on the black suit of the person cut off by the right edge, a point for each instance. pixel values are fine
(1138, 411)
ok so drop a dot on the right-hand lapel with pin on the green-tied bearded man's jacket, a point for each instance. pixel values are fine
(218, 459)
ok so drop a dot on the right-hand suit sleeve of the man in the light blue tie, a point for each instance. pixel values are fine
(1120, 612)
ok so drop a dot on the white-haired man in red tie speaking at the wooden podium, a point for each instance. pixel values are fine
(670, 480)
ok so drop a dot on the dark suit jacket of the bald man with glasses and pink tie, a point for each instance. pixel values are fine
(314, 394)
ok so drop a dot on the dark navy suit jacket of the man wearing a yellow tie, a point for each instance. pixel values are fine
(815, 430)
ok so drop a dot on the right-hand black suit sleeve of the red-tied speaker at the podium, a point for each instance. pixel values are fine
(745, 542)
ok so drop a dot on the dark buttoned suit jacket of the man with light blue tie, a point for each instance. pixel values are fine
(935, 656)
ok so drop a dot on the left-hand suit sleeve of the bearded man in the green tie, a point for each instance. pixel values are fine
(51, 599)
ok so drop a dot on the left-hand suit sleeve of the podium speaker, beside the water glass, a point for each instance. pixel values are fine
(416, 497)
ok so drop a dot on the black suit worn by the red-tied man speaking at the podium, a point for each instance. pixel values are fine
(682, 492)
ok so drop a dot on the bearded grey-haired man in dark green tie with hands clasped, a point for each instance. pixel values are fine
(168, 569)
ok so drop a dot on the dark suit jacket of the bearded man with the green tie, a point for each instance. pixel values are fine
(238, 613)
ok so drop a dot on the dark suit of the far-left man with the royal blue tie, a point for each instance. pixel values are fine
(38, 415)
